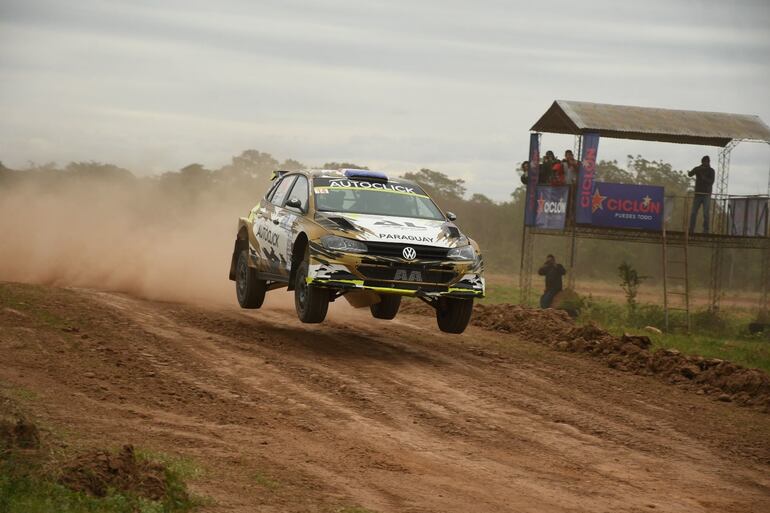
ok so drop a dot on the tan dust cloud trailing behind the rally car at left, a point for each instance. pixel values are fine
(120, 237)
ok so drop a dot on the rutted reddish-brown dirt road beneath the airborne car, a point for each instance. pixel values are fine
(392, 416)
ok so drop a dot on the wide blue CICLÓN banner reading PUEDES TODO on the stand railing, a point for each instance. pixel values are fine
(621, 205)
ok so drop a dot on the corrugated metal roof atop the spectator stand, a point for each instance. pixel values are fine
(644, 123)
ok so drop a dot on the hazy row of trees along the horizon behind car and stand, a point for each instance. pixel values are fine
(496, 225)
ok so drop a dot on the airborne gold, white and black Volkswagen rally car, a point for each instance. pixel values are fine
(360, 235)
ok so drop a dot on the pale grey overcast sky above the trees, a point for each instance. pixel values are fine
(398, 85)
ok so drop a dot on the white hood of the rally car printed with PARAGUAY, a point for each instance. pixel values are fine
(404, 230)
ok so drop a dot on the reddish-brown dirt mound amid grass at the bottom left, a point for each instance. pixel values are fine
(99, 471)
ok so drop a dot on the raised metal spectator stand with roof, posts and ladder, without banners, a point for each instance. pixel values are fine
(713, 129)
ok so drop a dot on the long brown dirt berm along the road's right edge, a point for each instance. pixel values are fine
(730, 382)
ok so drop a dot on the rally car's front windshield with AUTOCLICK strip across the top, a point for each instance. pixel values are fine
(377, 198)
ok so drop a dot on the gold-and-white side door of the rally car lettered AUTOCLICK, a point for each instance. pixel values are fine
(271, 233)
